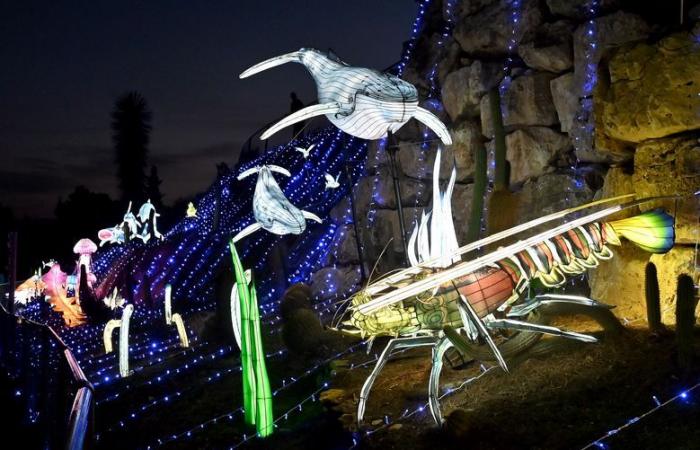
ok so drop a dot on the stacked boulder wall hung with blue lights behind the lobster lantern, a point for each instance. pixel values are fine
(594, 106)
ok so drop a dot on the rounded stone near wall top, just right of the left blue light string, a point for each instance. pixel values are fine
(551, 49)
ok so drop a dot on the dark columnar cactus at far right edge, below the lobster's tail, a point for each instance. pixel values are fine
(685, 320)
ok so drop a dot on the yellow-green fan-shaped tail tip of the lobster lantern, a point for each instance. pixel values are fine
(652, 231)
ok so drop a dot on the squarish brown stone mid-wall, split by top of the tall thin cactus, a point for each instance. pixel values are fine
(527, 102)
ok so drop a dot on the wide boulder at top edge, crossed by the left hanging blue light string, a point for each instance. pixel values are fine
(488, 30)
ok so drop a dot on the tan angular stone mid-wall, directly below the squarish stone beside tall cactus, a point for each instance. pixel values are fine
(531, 151)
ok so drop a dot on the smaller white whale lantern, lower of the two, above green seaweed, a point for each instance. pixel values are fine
(272, 211)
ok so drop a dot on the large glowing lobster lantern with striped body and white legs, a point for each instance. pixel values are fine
(442, 301)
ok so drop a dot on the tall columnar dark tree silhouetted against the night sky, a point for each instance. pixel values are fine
(131, 126)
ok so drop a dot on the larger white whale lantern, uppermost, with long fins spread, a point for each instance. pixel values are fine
(362, 102)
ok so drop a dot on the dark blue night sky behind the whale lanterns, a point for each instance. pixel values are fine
(65, 64)
